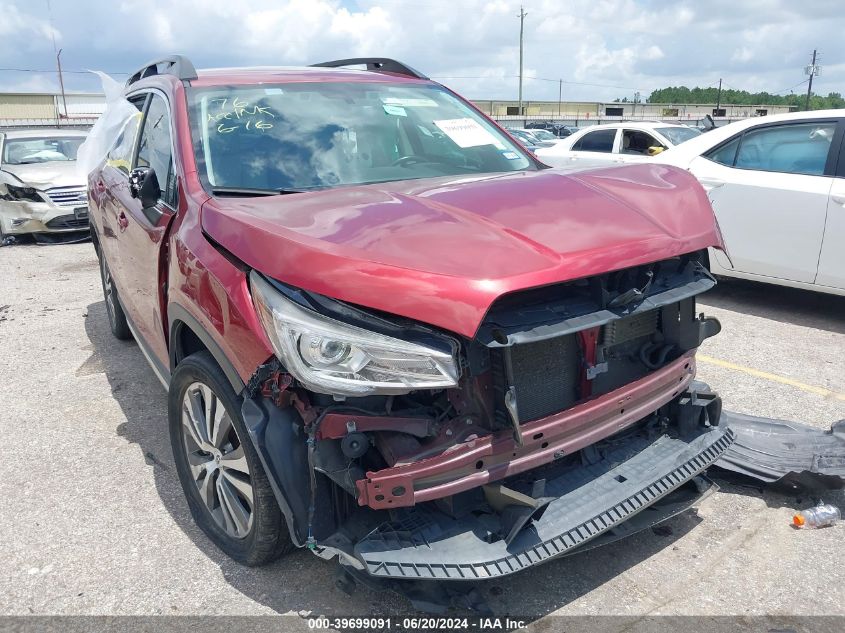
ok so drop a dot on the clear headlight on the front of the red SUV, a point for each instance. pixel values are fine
(332, 357)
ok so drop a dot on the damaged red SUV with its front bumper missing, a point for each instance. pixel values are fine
(389, 334)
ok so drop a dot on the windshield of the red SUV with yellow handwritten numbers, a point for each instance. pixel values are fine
(314, 135)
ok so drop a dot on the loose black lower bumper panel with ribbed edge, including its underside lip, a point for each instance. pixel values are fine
(588, 502)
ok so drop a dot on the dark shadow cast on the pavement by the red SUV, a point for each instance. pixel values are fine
(301, 583)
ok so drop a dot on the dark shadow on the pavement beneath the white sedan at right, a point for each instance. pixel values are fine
(788, 305)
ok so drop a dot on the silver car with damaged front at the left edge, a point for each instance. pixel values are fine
(41, 192)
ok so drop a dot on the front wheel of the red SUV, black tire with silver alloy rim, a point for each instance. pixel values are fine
(226, 487)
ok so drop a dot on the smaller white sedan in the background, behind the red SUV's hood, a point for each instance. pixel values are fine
(615, 143)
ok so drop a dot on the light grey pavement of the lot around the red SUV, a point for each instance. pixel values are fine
(94, 522)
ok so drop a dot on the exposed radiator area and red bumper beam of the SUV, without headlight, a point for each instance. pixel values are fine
(551, 372)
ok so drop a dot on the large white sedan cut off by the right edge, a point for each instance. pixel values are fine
(777, 185)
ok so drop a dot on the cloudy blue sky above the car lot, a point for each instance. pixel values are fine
(601, 49)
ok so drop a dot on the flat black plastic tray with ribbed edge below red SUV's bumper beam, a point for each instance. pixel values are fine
(571, 520)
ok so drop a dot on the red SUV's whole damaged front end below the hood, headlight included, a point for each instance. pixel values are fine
(571, 411)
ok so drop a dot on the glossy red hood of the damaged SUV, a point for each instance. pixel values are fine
(442, 250)
